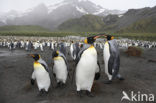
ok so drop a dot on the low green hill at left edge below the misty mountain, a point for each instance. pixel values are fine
(22, 28)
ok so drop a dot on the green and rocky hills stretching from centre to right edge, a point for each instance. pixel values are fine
(134, 20)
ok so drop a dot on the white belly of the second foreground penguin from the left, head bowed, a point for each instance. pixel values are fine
(60, 69)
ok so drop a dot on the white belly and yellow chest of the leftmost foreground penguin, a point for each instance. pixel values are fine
(42, 77)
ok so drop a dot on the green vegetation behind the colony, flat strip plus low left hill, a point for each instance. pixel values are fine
(39, 31)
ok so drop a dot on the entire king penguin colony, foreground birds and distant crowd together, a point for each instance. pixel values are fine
(85, 56)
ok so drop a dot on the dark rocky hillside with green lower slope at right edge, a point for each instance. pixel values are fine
(133, 18)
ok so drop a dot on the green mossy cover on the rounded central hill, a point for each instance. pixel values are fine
(85, 23)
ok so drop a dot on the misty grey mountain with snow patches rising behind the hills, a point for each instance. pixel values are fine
(53, 15)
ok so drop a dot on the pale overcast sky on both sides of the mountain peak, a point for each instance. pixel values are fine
(21, 5)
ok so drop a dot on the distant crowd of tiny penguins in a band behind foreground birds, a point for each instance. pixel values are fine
(12, 43)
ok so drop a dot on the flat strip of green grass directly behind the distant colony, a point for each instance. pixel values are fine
(139, 36)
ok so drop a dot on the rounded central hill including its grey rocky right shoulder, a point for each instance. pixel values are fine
(88, 23)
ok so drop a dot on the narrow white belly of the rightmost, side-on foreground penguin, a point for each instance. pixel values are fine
(106, 54)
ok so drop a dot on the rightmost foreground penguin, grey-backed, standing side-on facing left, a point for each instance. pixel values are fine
(111, 59)
